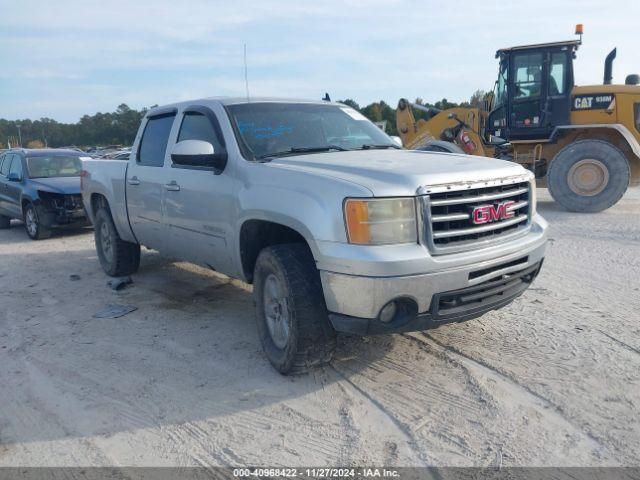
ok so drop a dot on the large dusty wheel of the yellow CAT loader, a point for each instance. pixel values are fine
(588, 176)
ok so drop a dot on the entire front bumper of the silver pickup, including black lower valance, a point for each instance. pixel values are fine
(355, 302)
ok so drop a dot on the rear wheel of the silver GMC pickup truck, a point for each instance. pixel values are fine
(117, 257)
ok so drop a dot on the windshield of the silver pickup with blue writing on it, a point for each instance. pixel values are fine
(267, 130)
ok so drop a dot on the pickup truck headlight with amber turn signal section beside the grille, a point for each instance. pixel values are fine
(381, 221)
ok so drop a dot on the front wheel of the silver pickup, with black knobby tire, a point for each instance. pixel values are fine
(291, 313)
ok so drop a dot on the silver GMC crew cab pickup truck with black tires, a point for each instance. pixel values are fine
(336, 227)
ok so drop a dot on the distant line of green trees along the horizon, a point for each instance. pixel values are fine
(120, 127)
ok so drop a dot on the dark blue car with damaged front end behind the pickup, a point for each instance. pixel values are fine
(42, 188)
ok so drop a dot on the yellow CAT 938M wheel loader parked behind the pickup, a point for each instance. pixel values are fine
(582, 142)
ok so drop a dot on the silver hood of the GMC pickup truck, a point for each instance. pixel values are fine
(400, 172)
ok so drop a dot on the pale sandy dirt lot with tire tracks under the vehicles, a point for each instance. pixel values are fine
(554, 379)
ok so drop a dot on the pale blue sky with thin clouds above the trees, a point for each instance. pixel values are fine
(62, 59)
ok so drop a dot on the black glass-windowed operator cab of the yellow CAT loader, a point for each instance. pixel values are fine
(533, 92)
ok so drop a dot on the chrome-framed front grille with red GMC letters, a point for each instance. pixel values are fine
(458, 220)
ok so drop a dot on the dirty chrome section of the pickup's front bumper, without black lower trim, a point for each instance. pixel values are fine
(362, 297)
